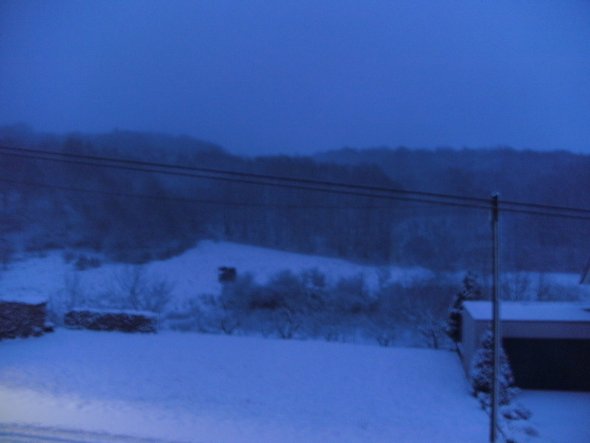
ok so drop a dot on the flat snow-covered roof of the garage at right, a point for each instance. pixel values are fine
(531, 311)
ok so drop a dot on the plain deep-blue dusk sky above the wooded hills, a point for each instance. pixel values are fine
(301, 76)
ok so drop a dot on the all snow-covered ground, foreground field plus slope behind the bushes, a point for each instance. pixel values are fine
(171, 386)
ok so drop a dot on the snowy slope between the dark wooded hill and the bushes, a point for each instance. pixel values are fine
(192, 273)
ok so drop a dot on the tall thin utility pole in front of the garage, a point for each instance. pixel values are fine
(495, 319)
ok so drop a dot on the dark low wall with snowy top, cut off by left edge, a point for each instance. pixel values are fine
(21, 319)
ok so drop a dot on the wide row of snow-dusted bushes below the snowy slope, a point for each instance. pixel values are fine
(307, 305)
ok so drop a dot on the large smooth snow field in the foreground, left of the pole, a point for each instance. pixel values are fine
(205, 388)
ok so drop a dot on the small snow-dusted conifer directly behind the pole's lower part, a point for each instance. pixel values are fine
(482, 367)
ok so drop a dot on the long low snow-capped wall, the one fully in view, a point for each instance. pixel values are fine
(99, 320)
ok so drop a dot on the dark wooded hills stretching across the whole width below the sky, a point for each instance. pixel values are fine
(137, 216)
